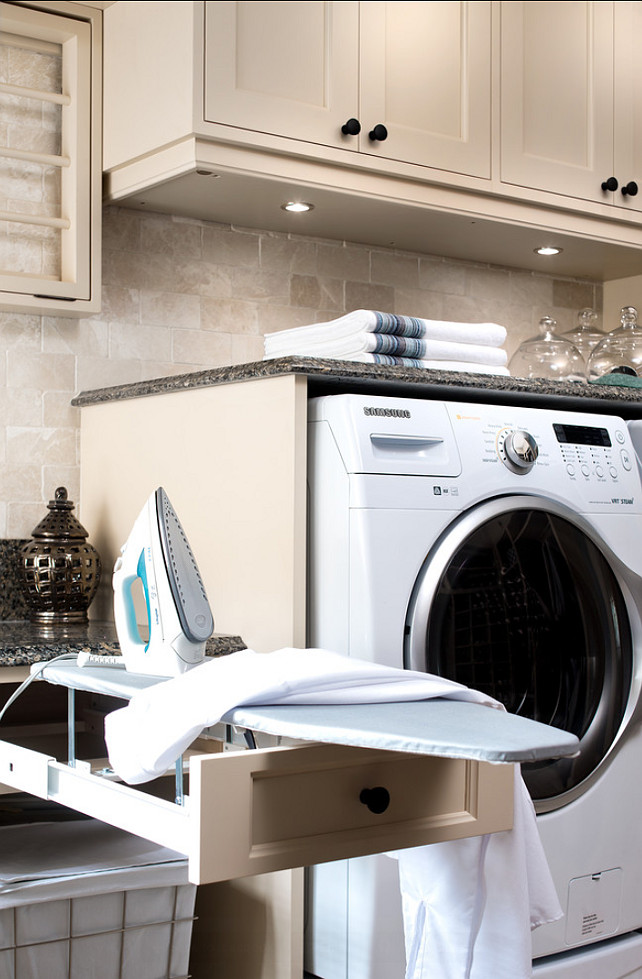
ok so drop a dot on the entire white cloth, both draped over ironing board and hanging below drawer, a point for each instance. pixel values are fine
(443, 885)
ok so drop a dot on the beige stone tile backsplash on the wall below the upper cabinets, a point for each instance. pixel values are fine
(181, 295)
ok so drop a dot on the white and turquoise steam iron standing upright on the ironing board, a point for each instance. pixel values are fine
(178, 613)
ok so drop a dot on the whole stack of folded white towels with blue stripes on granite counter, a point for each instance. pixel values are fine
(371, 337)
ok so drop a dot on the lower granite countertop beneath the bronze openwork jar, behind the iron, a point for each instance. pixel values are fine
(23, 643)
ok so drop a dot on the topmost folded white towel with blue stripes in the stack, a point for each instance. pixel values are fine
(372, 321)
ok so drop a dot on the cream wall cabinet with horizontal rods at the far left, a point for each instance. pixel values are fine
(50, 202)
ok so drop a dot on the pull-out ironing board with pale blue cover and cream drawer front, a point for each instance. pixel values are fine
(373, 777)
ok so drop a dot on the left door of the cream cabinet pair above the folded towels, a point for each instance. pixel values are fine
(283, 68)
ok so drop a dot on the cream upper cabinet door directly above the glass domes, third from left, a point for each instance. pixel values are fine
(557, 96)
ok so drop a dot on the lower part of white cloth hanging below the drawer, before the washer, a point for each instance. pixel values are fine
(469, 906)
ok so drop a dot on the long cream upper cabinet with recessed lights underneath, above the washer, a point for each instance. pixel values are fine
(465, 129)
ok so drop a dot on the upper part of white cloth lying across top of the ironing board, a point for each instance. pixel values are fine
(145, 738)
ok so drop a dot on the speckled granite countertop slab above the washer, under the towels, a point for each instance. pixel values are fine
(343, 372)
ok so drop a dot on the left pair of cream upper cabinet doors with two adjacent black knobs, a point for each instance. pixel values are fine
(402, 81)
